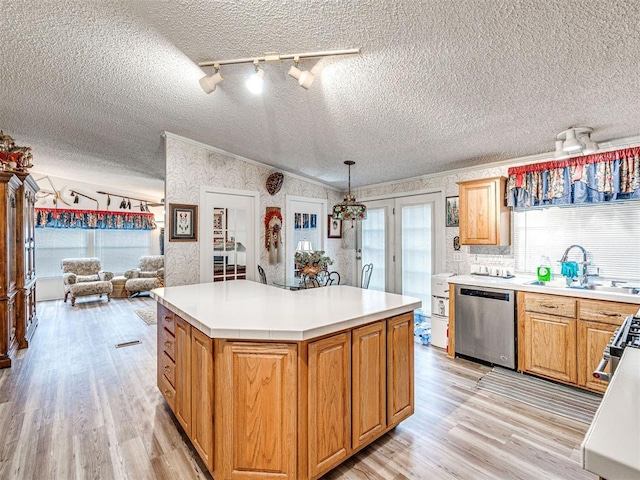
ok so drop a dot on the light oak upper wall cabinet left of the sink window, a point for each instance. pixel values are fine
(484, 216)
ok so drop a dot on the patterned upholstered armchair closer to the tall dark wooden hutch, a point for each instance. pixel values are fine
(84, 276)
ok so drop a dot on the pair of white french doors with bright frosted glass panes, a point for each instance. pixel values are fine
(403, 238)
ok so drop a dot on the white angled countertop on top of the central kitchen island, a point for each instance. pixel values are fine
(252, 311)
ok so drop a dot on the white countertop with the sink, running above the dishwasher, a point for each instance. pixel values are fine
(557, 287)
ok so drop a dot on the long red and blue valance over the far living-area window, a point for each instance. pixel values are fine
(93, 219)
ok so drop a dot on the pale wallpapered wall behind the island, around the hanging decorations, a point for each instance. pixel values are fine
(190, 165)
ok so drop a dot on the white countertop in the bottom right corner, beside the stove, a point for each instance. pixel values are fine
(611, 447)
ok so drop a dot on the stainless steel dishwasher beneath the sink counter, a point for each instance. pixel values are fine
(485, 324)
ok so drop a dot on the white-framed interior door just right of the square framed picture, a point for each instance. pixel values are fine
(228, 235)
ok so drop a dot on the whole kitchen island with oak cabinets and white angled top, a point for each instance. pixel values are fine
(270, 383)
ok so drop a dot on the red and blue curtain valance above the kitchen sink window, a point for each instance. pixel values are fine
(600, 177)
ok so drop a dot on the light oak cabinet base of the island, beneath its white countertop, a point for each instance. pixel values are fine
(293, 409)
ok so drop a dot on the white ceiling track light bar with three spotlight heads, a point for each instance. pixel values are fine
(305, 78)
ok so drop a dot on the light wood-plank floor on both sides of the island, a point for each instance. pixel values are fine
(73, 406)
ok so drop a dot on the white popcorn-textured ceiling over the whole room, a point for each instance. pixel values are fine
(440, 84)
